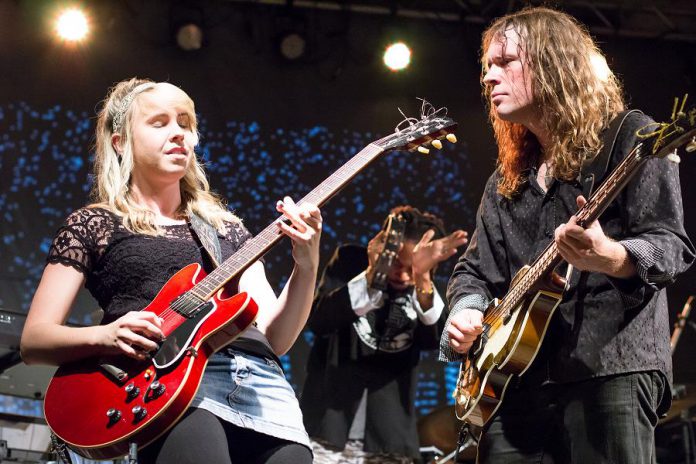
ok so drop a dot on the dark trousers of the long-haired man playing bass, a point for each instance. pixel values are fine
(602, 420)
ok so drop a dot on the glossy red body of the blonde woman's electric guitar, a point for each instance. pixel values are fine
(82, 393)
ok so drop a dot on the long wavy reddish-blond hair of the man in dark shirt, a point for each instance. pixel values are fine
(575, 102)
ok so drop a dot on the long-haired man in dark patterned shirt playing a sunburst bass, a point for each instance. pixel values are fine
(601, 378)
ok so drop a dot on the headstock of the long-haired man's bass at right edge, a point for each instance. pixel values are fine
(669, 136)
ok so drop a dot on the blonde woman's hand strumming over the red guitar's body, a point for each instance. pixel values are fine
(134, 334)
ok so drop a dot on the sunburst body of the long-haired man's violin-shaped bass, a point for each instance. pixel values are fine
(507, 350)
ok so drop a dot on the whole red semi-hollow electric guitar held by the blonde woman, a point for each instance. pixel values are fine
(99, 406)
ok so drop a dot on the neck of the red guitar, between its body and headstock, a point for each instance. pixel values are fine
(256, 247)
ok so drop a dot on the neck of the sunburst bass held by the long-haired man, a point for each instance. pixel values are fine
(598, 202)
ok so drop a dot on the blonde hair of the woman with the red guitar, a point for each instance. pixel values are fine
(112, 172)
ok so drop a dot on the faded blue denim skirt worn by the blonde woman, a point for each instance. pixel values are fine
(250, 391)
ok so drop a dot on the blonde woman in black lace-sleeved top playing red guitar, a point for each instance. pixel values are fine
(127, 244)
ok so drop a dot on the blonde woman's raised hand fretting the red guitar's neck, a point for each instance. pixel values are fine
(304, 230)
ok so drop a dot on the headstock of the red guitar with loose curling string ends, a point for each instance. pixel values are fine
(413, 134)
